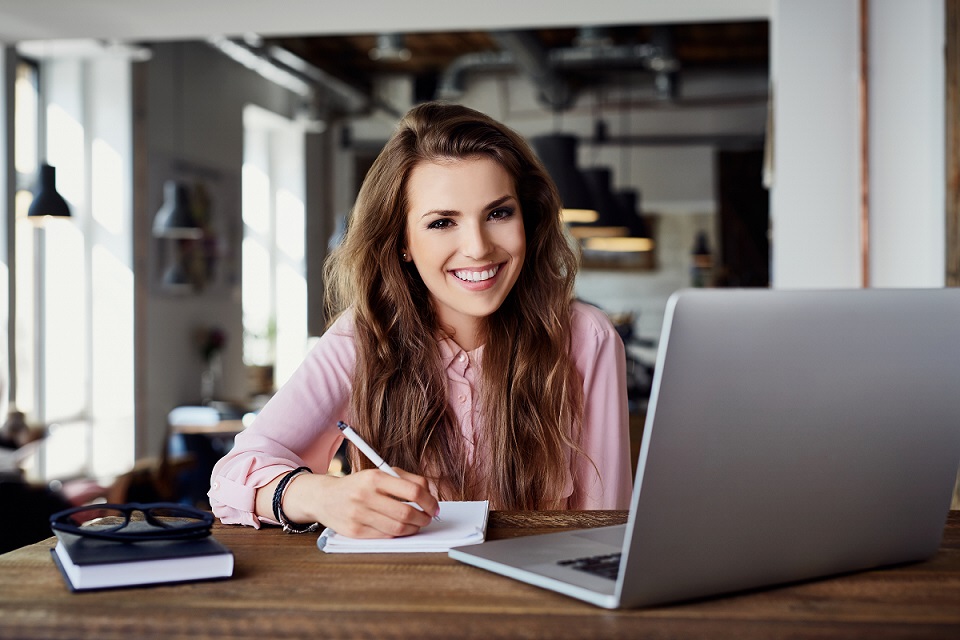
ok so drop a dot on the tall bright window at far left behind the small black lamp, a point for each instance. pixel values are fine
(74, 280)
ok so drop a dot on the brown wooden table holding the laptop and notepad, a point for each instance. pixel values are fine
(283, 587)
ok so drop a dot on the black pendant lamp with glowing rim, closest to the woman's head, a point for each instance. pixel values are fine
(558, 153)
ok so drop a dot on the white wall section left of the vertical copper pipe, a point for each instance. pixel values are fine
(815, 196)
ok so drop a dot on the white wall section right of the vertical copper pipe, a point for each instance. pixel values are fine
(907, 155)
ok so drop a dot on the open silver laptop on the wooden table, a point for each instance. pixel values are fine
(790, 435)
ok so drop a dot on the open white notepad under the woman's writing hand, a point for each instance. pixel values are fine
(461, 523)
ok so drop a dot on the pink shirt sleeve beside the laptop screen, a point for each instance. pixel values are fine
(604, 475)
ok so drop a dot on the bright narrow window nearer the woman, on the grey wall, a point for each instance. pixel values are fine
(273, 254)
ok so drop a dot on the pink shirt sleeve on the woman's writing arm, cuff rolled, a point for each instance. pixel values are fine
(297, 427)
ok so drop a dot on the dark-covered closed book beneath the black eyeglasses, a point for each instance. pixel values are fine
(86, 563)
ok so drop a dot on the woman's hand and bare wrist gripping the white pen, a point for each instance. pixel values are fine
(364, 504)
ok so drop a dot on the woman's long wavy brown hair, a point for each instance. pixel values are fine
(530, 393)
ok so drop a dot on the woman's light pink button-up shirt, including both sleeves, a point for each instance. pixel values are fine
(297, 427)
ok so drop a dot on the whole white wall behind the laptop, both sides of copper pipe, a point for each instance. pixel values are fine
(815, 199)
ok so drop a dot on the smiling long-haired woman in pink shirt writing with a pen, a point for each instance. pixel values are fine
(457, 352)
